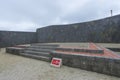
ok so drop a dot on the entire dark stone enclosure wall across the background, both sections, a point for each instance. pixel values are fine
(103, 30)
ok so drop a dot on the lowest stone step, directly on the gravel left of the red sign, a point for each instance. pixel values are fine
(36, 57)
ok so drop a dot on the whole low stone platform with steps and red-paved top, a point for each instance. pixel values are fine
(94, 58)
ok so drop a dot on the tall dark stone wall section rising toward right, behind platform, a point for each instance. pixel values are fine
(103, 30)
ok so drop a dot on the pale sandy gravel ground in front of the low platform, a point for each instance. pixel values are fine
(13, 67)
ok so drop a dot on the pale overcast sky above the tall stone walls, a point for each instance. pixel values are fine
(27, 15)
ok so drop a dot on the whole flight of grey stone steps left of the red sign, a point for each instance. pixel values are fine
(39, 51)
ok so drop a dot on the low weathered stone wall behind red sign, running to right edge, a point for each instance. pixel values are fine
(97, 64)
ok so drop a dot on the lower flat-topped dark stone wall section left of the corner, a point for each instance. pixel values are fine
(12, 38)
